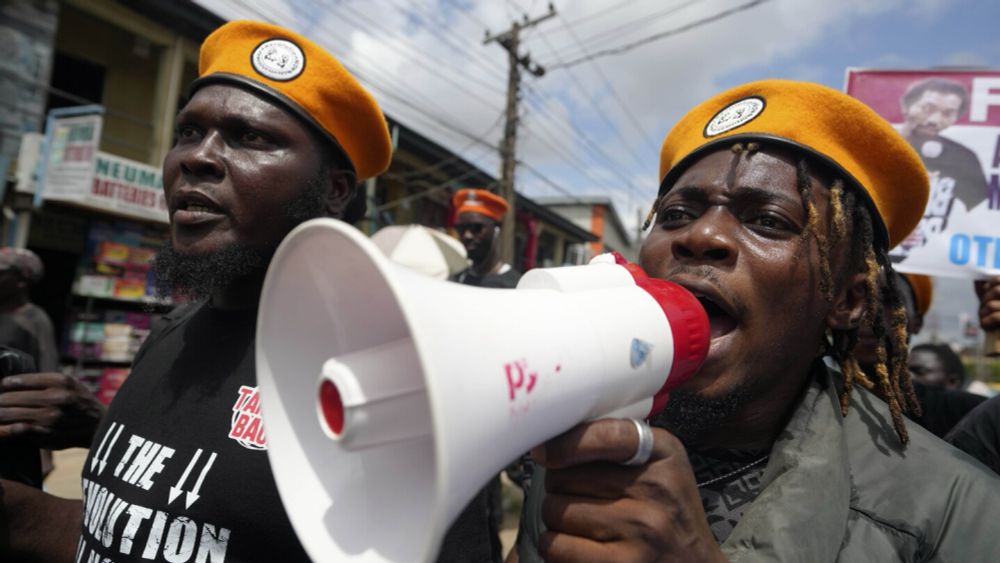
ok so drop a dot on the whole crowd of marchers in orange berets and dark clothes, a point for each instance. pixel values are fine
(809, 434)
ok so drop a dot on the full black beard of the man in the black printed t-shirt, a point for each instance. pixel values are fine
(197, 276)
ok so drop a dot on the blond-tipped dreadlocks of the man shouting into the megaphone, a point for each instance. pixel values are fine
(851, 220)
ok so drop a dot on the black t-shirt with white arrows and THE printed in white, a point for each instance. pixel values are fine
(178, 469)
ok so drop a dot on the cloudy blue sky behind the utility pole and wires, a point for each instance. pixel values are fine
(595, 128)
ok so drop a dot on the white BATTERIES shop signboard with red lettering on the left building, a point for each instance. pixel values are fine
(78, 173)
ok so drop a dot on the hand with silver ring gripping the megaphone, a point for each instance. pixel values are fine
(594, 510)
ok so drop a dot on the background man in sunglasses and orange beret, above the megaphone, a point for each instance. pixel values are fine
(478, 216)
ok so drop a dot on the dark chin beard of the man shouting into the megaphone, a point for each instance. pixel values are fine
(688, 415)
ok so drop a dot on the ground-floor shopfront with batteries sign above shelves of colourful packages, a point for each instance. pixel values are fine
(99, 221)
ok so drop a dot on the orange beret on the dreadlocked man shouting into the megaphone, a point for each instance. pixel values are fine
(829, 125)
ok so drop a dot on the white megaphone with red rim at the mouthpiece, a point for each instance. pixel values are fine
(390, 398)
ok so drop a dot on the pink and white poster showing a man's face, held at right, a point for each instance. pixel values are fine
(952, 119)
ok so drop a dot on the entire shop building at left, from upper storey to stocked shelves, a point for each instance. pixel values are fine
(93, 93)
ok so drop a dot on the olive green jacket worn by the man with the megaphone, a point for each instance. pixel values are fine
(842, 489)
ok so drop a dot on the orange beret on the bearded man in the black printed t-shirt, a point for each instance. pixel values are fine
(306, 80)
